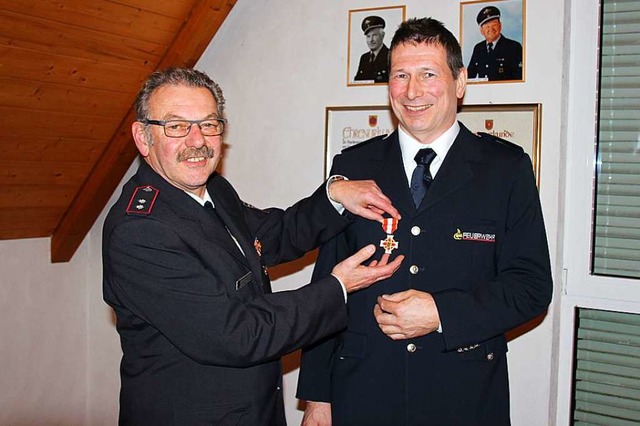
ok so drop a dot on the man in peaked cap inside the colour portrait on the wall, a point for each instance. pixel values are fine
(497, 57)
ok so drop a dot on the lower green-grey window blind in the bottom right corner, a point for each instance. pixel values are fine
(607, 369)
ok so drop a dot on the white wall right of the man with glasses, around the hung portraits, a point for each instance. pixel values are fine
(281, 62)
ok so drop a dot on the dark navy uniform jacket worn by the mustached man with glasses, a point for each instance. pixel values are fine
(200, 331)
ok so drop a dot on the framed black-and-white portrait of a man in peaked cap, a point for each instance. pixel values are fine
(370, 32)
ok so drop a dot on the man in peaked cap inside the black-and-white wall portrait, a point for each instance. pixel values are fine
(374, 65)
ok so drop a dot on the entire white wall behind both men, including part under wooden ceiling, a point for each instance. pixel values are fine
(280, 63)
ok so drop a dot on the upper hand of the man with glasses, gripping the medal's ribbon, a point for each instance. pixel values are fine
(362, 197)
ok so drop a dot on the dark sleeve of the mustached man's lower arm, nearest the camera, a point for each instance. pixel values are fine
(158, 283)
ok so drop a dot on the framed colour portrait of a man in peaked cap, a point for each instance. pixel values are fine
(492, 36)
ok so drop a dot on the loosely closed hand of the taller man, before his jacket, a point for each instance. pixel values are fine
(407, 314)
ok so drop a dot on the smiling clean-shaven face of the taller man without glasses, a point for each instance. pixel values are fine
(422, 90)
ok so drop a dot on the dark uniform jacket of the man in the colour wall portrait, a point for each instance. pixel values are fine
(503, 63)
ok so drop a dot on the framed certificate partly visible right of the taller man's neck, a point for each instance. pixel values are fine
(517, 123)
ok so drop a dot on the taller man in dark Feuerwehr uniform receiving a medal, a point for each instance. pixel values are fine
(427, 346)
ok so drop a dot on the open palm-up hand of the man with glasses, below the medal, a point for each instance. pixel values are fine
(356, 276)
